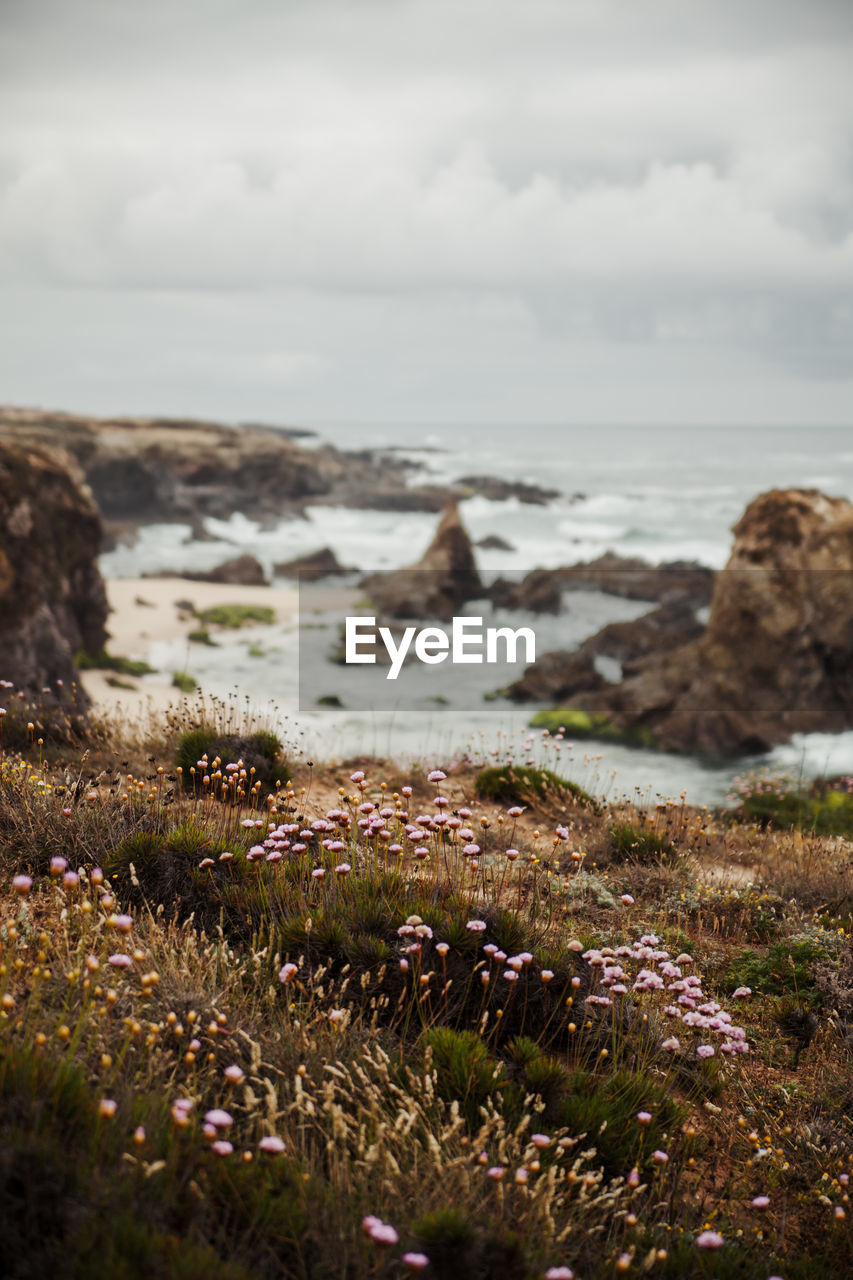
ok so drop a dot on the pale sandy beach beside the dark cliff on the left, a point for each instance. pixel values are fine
(144, 611)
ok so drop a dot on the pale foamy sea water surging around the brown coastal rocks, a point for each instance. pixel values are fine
(658, 493)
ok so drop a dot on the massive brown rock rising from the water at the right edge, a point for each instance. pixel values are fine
(777, 657)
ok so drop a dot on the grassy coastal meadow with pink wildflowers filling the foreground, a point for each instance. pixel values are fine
(262, 1017)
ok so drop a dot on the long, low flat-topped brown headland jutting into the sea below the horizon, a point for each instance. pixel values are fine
(147, 470)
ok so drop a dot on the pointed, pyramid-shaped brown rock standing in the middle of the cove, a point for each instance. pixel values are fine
(443, 580)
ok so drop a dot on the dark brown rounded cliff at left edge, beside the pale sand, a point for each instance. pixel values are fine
(52, 595)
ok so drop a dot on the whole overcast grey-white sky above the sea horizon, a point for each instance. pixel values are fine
(431, 211)
